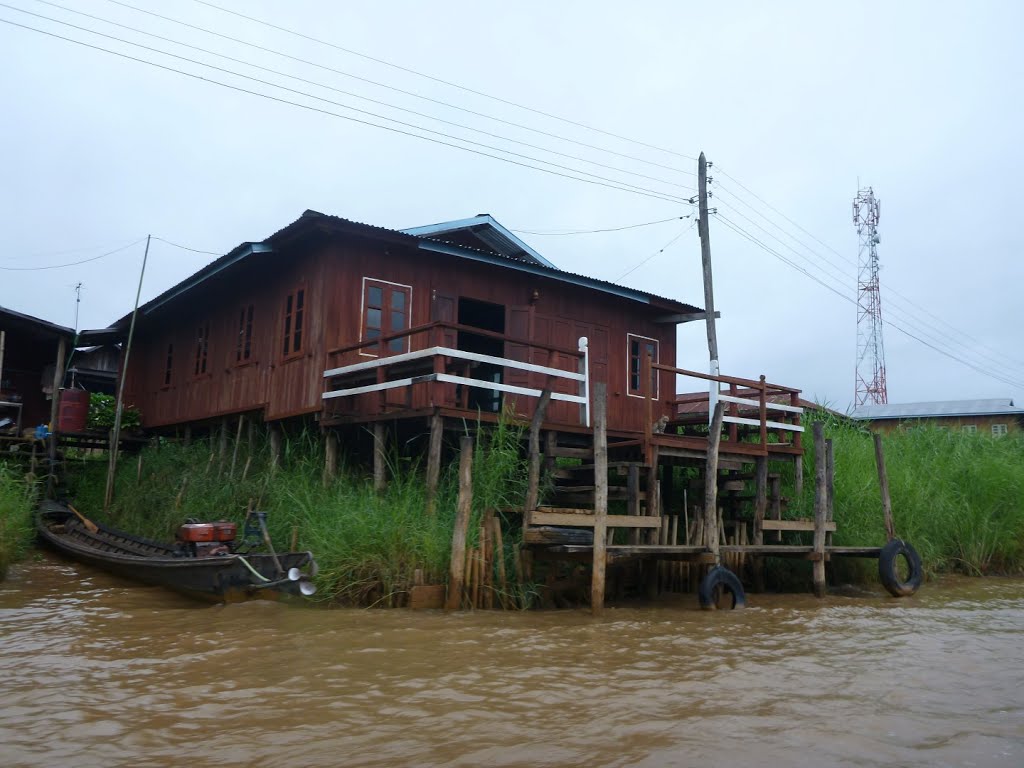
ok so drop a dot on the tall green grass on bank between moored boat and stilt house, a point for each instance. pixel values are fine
(368, 545)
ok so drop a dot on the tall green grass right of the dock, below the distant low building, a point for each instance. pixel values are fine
(958, 498)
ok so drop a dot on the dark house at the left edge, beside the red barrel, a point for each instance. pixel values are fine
(29, 350)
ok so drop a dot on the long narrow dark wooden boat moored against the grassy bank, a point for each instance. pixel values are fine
(228, 577)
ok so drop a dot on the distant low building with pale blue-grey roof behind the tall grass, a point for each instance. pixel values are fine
(997, 417)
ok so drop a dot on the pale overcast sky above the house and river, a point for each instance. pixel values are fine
(796, 102)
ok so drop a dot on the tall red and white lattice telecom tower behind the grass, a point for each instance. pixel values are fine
(871, 379)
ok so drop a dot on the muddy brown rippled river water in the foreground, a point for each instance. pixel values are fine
(98, 672)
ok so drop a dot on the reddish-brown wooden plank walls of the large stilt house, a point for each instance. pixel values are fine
(331, 272)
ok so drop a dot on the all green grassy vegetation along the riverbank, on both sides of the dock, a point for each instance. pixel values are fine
(958, 498)
